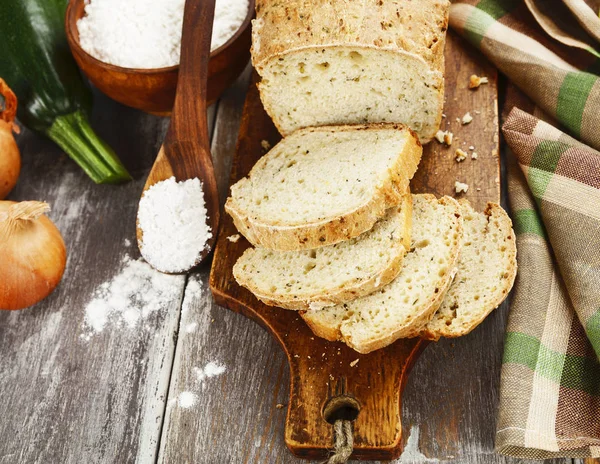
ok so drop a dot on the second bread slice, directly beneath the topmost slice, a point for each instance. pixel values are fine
(335, 274)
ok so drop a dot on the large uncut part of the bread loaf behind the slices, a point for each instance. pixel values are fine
(338, 62)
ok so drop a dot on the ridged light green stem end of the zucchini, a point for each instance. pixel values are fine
(73, 133)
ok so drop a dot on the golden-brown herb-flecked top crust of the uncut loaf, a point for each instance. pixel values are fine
(416, 27)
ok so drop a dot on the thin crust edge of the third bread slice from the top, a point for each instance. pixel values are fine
(416, 323)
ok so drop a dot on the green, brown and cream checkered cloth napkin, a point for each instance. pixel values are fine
(550, 388)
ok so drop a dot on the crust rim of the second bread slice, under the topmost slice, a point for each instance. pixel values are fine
(339, 295)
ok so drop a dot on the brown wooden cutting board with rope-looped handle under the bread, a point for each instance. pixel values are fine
(320, 369)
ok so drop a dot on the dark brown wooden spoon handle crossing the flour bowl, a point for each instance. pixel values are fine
(188, 121)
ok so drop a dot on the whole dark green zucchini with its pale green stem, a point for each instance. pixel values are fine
(35, 61)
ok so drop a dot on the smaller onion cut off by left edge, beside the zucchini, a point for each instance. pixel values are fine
(10, 159)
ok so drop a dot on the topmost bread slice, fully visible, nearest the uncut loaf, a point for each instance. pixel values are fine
(320, 186)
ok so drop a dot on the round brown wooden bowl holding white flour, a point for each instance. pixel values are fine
(153, 90)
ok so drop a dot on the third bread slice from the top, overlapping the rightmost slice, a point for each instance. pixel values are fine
(408, 302)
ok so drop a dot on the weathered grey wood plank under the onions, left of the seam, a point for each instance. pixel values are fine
(64, 399)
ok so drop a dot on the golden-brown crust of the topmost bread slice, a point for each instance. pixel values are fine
(338, 228)
